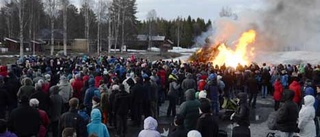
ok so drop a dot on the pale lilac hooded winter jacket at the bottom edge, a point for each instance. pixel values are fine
(150, 128)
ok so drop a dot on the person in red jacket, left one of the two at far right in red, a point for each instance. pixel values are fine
(277, 94)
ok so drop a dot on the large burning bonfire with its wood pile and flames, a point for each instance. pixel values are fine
(221, 54)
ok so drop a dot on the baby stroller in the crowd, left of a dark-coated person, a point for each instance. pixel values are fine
(229, 106)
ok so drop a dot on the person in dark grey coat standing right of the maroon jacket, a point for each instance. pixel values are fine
(55, 109)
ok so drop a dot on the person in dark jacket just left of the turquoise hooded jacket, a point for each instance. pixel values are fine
(72, 119)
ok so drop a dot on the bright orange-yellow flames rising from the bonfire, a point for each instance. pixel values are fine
(240, 55)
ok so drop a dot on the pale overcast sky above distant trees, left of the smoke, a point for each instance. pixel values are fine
(207, 9)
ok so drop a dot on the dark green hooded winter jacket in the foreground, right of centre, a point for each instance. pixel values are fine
(190, 110)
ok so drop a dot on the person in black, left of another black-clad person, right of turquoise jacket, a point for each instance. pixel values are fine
(121, 108)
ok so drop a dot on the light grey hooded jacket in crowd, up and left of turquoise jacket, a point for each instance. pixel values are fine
(65, 91)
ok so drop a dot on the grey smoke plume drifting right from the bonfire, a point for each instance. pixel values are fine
(282, 25)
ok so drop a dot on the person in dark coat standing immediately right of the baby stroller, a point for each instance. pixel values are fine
(242, 113)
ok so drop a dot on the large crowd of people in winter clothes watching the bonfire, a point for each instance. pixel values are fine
(85, 96)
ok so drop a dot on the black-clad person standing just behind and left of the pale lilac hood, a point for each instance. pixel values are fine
(137, 100)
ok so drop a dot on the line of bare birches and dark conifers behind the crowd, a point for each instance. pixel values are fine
(114, 22)
